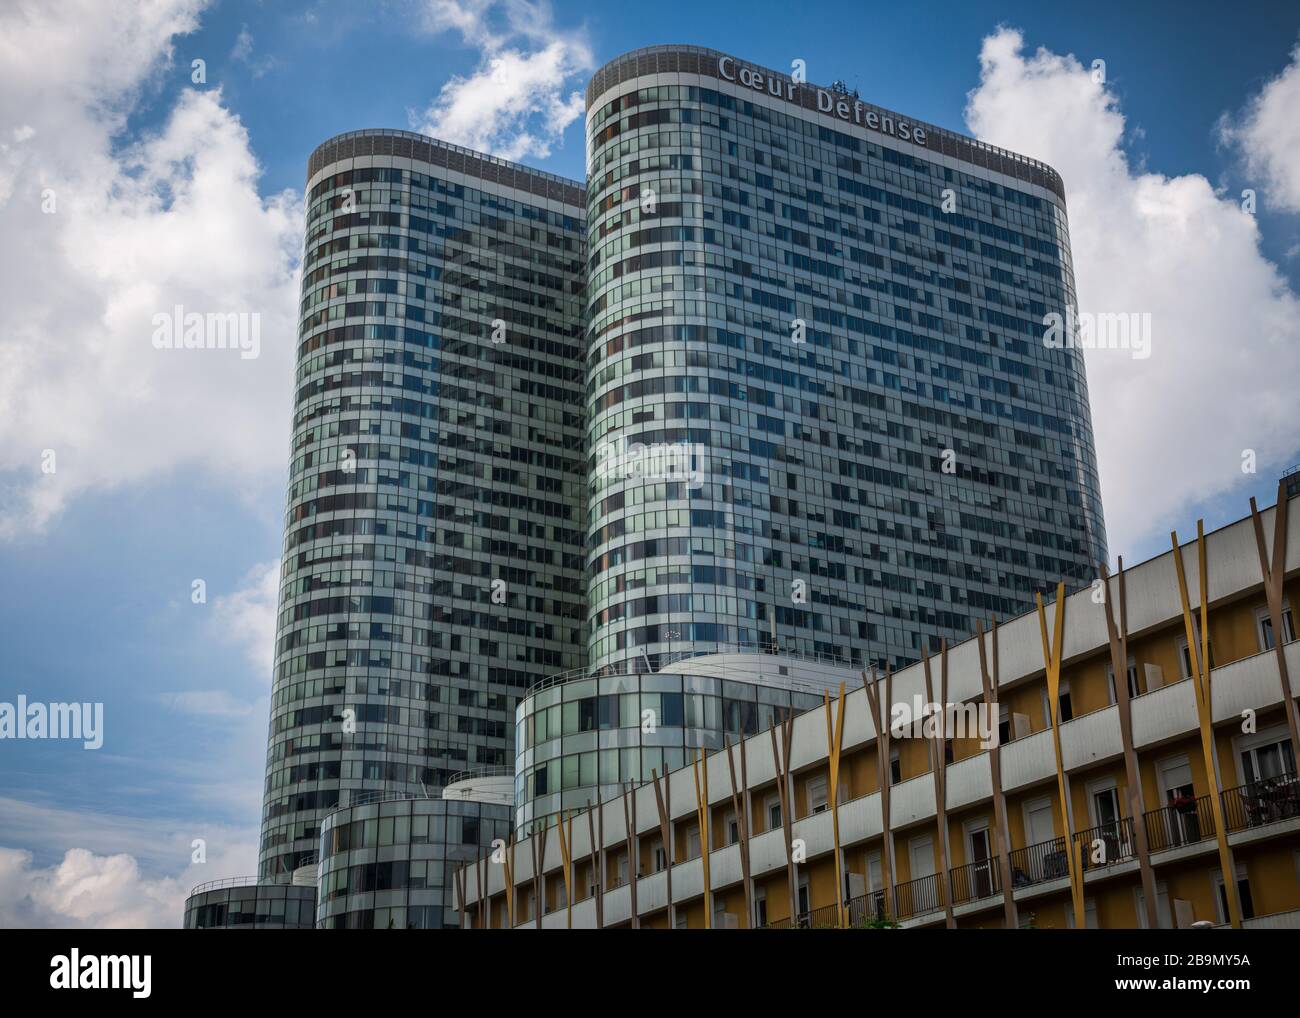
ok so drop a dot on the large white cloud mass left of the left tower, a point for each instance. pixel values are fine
(106, 232)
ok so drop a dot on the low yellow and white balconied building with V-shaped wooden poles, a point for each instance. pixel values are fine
(1099, 803)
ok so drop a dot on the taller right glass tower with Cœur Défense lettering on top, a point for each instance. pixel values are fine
(878, 447)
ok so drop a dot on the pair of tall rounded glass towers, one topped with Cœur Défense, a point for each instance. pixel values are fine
(773, 380)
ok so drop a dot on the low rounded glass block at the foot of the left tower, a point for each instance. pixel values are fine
(392, 865)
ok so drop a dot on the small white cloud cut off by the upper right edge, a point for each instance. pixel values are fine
(1269, 136)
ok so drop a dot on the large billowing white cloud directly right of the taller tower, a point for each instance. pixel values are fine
(1225, 363)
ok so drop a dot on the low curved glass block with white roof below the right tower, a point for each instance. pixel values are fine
(593, 735)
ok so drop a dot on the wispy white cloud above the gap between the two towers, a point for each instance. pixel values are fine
(526, 90)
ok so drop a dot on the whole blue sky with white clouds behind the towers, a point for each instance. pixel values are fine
(193, 193)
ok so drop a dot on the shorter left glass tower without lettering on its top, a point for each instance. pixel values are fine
(434, 539)
